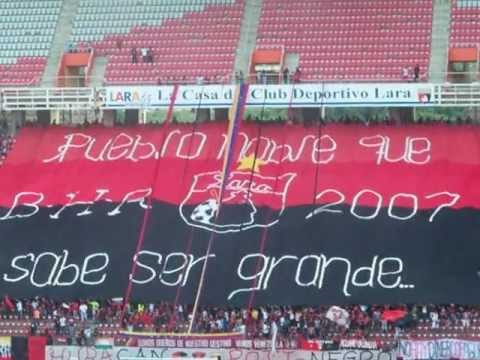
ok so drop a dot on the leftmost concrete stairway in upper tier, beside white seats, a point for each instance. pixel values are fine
(62, 34)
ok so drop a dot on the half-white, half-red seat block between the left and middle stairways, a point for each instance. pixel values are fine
(186, 39)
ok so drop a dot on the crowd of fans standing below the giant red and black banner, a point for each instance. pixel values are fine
(80, 319)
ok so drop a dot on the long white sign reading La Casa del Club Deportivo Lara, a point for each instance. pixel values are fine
(295, 95)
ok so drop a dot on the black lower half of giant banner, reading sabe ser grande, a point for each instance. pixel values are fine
(330, 258)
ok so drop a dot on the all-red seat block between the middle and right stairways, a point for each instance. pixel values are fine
(350, 40)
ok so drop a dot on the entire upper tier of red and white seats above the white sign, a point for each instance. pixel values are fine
(354, 40)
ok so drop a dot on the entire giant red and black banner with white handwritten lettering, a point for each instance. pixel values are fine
(333, 214)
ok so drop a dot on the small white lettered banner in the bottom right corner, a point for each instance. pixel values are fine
(439, 349)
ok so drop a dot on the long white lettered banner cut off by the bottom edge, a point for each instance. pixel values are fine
(146, 353)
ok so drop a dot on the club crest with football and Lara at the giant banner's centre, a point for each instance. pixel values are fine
(244, 194)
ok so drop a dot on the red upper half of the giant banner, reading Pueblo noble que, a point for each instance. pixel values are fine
(424, 167)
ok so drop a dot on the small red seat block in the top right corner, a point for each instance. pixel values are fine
(465, 25)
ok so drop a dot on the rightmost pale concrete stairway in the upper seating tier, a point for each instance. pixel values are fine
(440, 40)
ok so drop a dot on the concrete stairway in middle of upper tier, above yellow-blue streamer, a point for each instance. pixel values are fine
(248, 34)
